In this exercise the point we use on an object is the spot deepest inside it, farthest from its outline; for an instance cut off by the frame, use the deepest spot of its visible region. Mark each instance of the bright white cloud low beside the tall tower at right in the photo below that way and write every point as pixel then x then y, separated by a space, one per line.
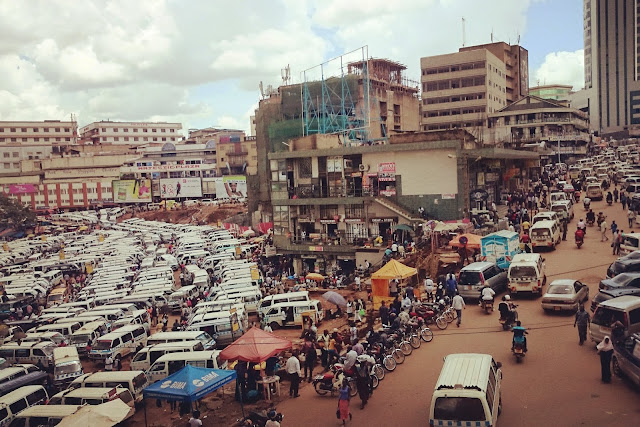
pixel 561 68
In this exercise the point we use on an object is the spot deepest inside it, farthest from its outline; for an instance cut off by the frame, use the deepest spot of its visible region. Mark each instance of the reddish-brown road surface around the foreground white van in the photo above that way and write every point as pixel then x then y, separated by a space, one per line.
pixel 558 383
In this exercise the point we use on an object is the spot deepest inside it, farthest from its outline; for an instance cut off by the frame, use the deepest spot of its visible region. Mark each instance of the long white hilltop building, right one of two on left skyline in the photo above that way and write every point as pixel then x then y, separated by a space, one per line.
pixel 130 133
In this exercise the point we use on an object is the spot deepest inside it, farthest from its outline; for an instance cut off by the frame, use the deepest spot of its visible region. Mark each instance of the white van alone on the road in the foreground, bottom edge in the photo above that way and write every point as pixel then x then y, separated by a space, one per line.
pixel 468 391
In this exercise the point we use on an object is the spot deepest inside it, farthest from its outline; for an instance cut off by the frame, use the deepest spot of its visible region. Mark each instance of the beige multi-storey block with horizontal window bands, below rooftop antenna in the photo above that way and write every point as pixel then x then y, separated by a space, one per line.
pixel 460 89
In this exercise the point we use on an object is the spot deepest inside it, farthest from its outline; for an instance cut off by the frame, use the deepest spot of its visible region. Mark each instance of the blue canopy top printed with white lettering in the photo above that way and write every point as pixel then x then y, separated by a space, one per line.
pixel 189 384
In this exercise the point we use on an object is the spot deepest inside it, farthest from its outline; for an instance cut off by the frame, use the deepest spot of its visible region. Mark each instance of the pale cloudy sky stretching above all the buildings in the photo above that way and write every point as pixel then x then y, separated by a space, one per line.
pixel 199 62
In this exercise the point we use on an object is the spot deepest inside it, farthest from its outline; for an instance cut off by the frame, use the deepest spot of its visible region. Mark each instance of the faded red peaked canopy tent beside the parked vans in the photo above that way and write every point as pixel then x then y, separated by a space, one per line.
pixel 255 346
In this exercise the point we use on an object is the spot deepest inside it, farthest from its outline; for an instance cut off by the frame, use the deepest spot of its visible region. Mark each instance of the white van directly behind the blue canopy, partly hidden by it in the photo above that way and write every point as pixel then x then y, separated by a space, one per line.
pixel 173 362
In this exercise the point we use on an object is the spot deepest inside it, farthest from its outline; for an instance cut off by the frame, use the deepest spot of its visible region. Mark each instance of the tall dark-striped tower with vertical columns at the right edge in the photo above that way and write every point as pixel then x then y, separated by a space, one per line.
pixel 612 64
